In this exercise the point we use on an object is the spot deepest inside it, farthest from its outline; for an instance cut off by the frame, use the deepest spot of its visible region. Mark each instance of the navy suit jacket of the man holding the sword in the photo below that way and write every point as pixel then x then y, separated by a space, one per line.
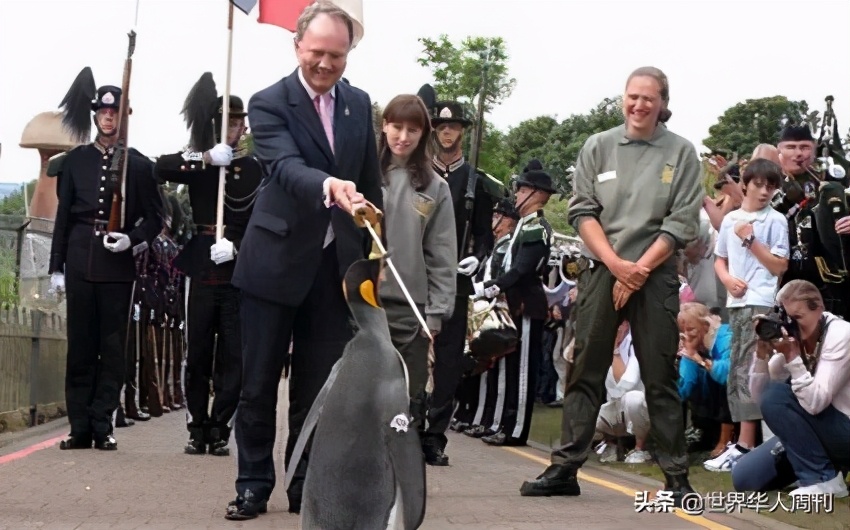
pixel 282 247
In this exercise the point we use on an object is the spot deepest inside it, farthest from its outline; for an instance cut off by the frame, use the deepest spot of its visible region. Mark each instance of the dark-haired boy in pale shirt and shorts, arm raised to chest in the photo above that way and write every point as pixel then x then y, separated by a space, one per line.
pixel 751 255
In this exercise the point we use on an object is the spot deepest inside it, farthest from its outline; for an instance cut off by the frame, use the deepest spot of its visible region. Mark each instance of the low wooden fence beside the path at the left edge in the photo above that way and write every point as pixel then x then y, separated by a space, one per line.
pixel 33 347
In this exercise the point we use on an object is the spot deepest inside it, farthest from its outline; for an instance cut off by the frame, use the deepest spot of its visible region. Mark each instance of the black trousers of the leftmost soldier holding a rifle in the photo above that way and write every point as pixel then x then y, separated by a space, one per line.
pixel 98 314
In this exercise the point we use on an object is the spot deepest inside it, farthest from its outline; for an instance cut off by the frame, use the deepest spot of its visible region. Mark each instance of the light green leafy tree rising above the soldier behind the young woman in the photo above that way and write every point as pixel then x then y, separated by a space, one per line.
pixel 457 72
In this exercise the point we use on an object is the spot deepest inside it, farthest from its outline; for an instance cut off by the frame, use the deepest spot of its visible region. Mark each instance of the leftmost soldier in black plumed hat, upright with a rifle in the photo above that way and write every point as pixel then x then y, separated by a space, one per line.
pixel 93 261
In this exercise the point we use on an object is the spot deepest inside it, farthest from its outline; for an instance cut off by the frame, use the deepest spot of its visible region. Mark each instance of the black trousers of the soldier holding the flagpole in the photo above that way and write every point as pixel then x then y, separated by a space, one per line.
pixel 215 347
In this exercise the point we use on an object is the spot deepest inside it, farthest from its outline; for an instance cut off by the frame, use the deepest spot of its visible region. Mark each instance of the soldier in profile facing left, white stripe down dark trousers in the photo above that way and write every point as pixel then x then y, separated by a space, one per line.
pixel 521 281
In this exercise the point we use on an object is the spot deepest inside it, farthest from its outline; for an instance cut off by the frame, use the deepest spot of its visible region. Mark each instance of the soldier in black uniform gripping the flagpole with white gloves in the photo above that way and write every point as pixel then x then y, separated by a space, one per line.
pixel 214 326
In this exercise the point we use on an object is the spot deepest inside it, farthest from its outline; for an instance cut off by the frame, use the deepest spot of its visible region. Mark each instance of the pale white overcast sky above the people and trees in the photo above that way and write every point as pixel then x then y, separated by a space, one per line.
pixel 567 55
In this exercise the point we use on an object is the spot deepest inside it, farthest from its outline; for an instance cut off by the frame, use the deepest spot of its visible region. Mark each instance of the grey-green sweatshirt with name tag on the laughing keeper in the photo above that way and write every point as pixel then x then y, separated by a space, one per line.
pixel 638 189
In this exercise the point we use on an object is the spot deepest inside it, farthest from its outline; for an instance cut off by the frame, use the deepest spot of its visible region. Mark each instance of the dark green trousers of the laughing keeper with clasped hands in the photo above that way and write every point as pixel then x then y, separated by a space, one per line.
pixel 652 312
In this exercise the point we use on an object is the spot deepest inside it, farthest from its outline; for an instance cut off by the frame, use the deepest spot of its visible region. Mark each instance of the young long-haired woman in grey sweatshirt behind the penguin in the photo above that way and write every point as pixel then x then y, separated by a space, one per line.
pixel 419 228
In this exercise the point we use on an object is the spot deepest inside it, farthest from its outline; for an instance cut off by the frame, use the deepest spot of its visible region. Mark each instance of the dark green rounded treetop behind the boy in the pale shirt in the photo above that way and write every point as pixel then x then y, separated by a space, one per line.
pixel 745 125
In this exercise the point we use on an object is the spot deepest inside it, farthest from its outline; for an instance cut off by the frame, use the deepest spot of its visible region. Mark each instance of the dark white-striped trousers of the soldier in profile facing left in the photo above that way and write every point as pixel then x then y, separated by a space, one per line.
pixel 521 371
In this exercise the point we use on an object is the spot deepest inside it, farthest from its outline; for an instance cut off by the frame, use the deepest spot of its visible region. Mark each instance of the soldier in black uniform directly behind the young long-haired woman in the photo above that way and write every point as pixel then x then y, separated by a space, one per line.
pixel 475 240
